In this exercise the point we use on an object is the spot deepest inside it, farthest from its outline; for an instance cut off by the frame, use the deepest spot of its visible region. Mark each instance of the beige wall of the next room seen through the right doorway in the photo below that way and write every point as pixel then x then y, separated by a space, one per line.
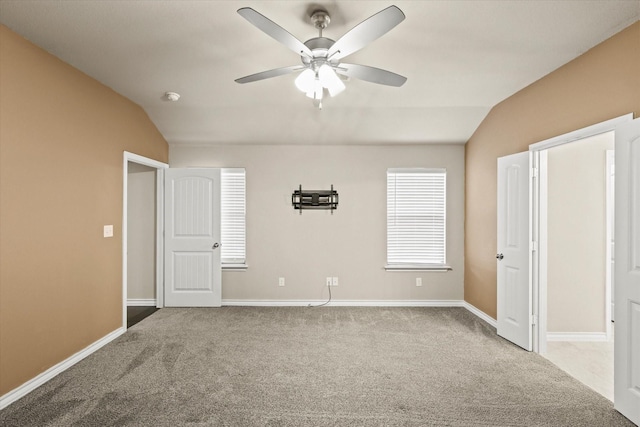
pixel 576 224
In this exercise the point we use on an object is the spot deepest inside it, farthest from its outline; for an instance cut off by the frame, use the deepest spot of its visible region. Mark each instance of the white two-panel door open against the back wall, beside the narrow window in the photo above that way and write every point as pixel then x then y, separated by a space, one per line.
pixel 192 238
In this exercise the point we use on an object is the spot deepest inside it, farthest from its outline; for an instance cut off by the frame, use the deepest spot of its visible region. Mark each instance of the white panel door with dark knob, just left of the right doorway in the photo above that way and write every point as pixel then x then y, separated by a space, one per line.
pixel 513 256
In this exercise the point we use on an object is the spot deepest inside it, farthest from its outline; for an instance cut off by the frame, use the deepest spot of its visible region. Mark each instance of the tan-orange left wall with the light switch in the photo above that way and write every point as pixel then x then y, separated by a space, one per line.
pixel 62 137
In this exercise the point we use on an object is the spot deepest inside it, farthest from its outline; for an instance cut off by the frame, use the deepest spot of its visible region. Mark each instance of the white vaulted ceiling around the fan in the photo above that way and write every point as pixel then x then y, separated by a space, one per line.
pixel 460 57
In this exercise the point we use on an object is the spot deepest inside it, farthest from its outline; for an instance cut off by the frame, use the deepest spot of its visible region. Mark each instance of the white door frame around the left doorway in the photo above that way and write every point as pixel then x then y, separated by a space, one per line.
pixel 159 166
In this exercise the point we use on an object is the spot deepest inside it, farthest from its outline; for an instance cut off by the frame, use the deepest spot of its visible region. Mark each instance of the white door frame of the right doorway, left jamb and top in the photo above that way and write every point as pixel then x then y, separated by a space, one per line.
pixel 539 217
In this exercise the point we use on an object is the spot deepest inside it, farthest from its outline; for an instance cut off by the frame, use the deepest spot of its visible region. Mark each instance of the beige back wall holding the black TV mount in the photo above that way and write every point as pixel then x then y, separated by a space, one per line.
pixel 351 243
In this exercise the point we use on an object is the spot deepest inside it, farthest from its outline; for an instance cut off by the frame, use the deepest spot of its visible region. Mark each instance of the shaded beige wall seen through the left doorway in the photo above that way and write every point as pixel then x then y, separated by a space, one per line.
pixel 141 232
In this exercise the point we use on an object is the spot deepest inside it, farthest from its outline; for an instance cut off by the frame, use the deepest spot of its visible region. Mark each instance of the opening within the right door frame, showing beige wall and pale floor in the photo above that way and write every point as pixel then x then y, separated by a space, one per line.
pixel 579 332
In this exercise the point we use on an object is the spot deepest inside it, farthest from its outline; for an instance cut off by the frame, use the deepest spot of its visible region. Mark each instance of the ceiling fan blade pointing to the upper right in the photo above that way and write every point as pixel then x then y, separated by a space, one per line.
pixel 366 32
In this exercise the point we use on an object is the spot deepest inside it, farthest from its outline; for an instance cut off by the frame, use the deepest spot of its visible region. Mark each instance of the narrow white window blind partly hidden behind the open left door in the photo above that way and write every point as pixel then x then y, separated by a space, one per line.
pixel 233 210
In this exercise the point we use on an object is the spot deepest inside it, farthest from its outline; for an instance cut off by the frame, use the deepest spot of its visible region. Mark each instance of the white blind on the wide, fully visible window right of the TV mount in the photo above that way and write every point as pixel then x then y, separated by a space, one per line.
pixel 416 217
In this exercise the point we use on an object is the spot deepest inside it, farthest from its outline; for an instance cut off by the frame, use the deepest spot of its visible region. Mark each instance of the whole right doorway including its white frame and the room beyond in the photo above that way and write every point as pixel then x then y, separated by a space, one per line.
pixel 573 224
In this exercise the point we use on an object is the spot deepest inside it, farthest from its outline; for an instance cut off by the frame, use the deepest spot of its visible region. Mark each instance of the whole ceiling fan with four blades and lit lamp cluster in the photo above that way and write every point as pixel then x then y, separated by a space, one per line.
pixel 321 56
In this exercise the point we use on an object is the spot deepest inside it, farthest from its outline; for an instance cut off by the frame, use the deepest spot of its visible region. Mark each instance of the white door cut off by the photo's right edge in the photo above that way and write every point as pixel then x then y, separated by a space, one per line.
pixel 627 277
